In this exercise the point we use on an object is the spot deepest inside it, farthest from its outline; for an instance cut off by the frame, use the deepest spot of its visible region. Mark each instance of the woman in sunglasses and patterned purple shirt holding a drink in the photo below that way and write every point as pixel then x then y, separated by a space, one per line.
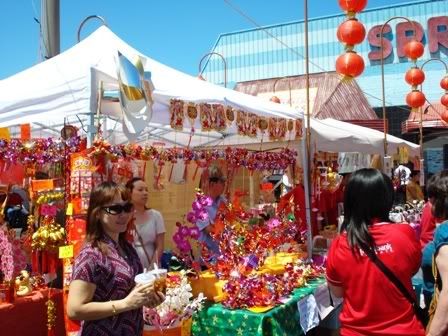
pixel 102 293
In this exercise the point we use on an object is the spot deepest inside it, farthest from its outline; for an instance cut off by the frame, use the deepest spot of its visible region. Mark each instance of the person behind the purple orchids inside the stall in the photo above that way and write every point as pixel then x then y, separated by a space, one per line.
pixel 216 186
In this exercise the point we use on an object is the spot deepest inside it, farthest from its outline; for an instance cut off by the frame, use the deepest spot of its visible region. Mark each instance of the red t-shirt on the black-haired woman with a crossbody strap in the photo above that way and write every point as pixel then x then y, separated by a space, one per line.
pixel 372 304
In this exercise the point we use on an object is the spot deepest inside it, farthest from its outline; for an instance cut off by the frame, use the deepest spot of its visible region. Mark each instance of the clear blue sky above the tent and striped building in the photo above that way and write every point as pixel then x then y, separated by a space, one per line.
pixel 175 32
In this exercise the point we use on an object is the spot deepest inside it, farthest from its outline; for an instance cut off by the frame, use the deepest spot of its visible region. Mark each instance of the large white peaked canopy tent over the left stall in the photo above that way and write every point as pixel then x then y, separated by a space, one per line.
pixel 66 87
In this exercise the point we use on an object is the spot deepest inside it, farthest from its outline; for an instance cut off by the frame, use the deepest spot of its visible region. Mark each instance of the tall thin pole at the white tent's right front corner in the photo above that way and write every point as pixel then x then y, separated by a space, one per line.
pixel 307 170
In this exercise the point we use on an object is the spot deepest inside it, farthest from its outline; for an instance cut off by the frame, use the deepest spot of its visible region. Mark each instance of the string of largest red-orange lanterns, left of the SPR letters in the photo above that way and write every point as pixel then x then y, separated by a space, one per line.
pixel 351 32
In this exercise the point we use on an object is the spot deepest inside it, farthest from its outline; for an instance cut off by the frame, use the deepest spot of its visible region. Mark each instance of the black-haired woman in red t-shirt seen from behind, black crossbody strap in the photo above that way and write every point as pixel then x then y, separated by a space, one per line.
pixel 373 305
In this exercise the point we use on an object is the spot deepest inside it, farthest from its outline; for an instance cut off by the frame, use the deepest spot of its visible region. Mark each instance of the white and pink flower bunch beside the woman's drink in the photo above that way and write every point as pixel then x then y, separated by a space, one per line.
pixel 178 306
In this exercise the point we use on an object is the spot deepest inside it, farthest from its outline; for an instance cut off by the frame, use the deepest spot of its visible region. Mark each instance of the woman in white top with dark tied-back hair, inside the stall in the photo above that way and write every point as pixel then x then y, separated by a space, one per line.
pixel 149 225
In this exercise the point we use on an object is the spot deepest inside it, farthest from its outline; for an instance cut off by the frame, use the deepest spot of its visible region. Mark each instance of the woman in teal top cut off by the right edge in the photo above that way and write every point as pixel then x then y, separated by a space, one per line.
pixel 438 310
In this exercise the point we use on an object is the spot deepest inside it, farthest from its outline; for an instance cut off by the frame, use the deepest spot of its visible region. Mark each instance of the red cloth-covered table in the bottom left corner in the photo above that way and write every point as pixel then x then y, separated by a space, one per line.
pixel 28 315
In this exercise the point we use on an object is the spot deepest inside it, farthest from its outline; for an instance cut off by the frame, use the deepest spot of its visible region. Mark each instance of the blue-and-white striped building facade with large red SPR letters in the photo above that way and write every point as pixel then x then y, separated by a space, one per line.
pixel 278 50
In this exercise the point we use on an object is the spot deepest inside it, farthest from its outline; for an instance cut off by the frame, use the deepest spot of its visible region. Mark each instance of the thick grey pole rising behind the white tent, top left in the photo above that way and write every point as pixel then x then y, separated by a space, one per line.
pixel 50 27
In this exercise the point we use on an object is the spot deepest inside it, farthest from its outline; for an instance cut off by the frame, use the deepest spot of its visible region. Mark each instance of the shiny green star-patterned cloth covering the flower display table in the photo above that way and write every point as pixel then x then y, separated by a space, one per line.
pixel 283 319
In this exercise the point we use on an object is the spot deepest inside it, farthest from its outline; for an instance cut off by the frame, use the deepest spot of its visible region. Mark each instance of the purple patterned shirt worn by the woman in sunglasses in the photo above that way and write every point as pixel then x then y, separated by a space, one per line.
pixel 113 276
